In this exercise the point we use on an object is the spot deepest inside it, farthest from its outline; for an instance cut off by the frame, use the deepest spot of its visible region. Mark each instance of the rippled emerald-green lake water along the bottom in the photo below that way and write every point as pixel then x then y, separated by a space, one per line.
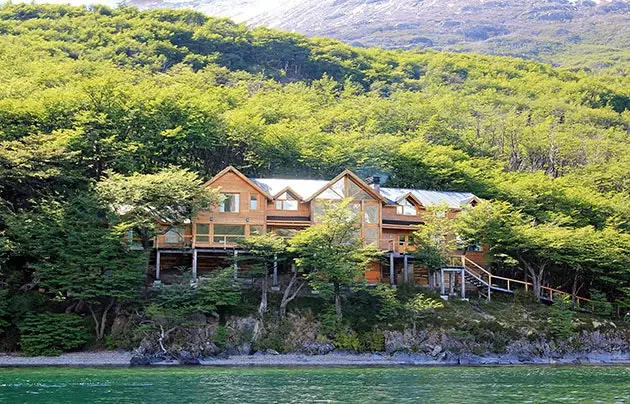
pixel 300 385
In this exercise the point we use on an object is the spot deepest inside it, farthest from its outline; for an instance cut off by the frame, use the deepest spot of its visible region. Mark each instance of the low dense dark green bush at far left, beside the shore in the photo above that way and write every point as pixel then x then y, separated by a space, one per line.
pixel 52 334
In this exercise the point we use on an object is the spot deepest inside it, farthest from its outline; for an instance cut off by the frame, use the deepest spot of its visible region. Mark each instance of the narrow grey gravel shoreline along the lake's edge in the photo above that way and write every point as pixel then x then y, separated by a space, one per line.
pixel 122 359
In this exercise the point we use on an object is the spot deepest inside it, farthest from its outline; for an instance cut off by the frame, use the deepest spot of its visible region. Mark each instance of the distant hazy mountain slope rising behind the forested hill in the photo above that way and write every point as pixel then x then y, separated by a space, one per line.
pixel 549 30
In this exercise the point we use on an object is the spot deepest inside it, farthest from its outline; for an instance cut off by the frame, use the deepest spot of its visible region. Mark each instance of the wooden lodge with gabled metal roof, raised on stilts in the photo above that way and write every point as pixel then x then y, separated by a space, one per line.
pixel 250 206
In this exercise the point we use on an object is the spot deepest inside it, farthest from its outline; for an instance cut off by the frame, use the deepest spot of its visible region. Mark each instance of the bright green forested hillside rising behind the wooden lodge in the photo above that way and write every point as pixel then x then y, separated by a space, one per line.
pixel 87 92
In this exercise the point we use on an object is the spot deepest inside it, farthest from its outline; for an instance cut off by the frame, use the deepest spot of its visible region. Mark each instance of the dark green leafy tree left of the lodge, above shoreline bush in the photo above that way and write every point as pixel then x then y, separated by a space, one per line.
pixel 78 258
